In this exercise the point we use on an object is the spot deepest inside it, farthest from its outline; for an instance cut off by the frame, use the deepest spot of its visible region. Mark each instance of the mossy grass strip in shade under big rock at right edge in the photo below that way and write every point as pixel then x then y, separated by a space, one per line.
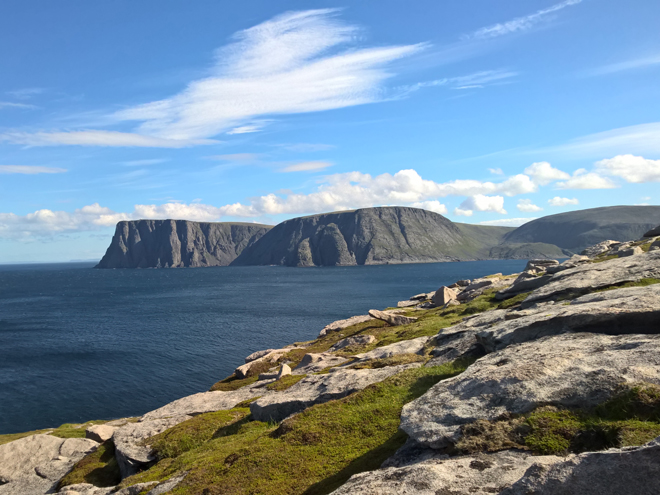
pixel 630 418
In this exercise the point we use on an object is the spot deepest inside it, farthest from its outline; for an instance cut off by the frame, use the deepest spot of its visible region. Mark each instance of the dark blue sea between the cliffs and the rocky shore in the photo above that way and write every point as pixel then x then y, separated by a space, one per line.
pixel 78 344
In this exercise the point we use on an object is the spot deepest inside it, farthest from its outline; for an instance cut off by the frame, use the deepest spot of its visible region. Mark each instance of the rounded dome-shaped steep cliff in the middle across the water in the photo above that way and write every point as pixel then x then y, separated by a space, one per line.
pixel 366 236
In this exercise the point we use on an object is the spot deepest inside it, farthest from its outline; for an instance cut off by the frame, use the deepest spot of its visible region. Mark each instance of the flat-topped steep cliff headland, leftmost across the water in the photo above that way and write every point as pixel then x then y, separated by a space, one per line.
pixel 178 243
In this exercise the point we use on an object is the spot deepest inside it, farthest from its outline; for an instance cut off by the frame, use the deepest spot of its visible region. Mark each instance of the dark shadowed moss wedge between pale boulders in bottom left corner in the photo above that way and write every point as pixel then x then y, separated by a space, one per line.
pixel 99 468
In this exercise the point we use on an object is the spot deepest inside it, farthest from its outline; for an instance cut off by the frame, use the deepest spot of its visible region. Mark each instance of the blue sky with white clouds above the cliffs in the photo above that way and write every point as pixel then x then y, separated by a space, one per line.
pixel 487 112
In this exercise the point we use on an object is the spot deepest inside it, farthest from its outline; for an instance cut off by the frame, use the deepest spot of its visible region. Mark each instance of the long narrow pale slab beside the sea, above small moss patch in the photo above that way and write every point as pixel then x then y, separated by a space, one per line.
pixel 207 402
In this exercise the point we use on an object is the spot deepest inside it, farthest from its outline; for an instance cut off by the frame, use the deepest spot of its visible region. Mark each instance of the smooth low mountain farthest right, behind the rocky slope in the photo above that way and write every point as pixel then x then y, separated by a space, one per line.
pixel 577 230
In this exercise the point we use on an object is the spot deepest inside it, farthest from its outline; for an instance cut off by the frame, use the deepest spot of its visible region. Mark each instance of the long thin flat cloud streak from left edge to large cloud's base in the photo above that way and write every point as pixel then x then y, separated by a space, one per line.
pixel 99 138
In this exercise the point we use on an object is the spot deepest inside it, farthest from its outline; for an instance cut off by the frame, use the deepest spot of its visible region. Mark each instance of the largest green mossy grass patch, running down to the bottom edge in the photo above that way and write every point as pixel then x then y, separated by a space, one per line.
pixel 313 452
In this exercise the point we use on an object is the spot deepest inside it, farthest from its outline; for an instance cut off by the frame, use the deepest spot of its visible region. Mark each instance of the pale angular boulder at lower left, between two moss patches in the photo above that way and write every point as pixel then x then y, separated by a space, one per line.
pixel 131 451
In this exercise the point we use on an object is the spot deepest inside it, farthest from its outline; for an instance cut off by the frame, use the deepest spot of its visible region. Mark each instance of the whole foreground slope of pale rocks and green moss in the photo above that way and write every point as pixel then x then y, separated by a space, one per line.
pixel 543 382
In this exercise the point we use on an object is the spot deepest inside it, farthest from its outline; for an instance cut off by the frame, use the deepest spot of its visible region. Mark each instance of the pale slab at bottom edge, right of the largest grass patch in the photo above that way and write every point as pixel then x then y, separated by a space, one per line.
pixel 480 475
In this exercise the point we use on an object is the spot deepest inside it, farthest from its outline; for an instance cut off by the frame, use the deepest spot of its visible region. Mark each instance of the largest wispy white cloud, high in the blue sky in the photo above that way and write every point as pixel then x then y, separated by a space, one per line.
pixel 289 64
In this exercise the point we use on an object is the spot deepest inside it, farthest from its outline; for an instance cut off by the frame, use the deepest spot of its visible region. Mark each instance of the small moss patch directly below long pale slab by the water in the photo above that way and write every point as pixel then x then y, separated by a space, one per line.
pixel 195 432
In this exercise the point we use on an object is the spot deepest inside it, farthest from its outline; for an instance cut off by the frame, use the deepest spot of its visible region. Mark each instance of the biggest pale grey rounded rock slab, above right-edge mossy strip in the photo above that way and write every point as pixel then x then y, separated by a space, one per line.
pixel 570 370
